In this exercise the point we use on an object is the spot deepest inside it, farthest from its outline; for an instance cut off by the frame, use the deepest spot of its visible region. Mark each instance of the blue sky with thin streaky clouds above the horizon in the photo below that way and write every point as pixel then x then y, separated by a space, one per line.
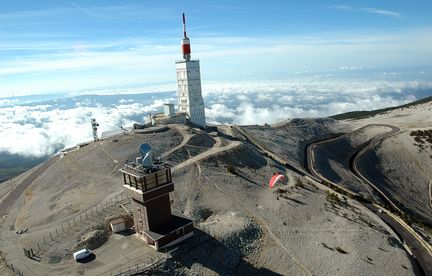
pixel 73 46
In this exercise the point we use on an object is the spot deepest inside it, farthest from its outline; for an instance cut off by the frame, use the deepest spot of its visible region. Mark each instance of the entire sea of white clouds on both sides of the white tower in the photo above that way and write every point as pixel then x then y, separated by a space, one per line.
pixel 44 127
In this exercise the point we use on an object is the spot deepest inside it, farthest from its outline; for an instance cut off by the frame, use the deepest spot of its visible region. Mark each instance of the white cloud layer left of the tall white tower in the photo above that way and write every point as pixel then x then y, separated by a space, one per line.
pixel 39 130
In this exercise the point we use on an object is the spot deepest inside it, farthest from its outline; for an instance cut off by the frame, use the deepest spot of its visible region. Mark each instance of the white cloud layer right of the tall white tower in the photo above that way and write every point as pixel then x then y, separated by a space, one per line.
pixel 269 102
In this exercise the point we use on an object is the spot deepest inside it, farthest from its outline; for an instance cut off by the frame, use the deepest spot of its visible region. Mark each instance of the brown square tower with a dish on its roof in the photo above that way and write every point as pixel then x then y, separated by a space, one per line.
pixel 149 184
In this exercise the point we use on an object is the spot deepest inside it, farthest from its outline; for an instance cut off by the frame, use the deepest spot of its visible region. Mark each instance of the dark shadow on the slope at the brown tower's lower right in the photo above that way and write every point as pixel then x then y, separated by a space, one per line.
pixel 210 253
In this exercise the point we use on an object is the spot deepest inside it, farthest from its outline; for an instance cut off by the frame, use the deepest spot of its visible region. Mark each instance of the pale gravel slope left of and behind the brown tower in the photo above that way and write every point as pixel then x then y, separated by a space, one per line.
pixel 85 177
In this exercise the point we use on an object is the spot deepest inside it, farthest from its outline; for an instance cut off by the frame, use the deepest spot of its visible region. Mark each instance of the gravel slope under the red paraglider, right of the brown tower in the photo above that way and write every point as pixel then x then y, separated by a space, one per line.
pixel 300 230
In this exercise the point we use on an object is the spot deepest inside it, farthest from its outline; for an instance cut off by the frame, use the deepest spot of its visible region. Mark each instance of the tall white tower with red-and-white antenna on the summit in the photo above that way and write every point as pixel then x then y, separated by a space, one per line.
pixel 190 98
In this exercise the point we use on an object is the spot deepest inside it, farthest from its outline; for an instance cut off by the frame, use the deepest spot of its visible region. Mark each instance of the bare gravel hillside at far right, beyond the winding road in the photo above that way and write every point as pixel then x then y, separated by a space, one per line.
pixel 400 164
